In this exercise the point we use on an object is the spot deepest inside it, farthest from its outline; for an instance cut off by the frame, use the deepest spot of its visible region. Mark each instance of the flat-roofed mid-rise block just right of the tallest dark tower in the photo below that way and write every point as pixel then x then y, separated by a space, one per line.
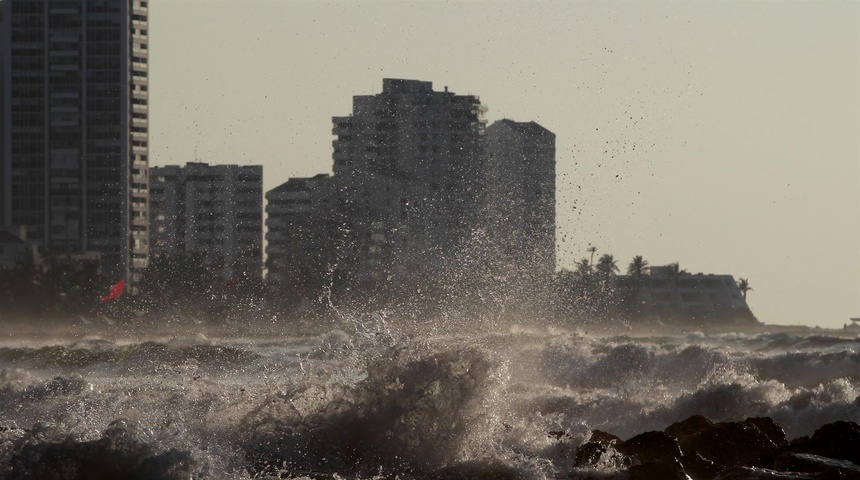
pixel 212 210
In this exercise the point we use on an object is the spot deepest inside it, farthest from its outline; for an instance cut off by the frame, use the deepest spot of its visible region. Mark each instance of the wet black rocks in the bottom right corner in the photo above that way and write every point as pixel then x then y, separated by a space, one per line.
pixel 755 448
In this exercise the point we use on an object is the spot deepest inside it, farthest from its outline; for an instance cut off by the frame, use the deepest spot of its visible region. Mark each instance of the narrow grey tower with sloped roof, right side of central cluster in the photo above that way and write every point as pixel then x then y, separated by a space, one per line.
pixel 519 197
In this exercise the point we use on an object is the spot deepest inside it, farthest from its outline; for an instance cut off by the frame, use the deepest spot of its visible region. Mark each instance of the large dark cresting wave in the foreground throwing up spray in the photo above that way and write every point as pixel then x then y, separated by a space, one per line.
pixel 412 413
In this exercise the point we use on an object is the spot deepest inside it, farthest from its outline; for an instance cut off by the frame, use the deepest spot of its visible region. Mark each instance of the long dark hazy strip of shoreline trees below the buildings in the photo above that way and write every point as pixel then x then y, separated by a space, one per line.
pixel 182 286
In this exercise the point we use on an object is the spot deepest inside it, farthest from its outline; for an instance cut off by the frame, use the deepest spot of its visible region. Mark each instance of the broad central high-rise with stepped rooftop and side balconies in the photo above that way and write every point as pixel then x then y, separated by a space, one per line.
pixel 407 166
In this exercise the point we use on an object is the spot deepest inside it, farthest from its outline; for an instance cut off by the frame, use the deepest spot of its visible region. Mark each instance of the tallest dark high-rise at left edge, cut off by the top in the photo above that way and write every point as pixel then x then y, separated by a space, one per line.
pixel 74 149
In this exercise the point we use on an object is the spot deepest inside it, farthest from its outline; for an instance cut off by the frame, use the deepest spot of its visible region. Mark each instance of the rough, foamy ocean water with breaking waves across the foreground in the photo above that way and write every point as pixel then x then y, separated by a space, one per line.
pixel 367 399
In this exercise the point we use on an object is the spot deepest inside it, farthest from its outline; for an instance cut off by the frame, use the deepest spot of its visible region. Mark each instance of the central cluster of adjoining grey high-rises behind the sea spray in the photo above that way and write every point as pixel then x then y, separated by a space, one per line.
pixel 420 189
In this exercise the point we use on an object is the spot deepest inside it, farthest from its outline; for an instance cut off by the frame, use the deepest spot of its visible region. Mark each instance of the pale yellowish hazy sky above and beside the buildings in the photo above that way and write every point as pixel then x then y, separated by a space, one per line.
pixel 722 135
